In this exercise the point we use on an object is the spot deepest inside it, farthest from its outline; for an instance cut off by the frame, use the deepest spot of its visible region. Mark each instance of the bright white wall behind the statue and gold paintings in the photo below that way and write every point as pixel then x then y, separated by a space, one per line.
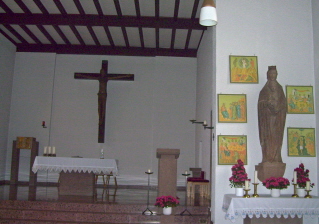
pixel 270 30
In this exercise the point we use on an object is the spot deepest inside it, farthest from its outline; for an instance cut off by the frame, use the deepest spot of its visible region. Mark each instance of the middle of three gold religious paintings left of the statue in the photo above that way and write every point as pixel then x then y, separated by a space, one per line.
pixel 232 108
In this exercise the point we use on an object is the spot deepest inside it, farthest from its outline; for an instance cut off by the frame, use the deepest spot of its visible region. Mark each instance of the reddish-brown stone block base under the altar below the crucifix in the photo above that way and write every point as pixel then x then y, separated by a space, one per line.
pixel 75 183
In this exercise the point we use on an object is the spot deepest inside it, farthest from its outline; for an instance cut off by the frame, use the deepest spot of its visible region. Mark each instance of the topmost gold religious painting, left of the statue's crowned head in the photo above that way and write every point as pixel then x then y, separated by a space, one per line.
pixel 243 69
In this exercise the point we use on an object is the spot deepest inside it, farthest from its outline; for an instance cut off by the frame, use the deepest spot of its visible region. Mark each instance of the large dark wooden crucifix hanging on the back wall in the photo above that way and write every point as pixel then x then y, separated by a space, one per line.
pixel 103 77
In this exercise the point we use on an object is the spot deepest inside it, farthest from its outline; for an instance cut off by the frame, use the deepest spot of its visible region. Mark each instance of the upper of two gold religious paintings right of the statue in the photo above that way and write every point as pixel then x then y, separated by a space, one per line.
pixel 300 100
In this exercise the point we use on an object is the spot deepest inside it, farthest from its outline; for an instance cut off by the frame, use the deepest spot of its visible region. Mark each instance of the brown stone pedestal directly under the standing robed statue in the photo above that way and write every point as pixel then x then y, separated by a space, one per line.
pixel 267 169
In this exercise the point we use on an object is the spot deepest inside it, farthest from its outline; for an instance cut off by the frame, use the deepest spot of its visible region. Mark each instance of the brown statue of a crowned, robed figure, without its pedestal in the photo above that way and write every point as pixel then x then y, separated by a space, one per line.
pixel 272 111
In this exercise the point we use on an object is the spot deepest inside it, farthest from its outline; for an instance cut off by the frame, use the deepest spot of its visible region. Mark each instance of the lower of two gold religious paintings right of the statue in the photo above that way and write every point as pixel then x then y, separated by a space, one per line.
pixel 301 142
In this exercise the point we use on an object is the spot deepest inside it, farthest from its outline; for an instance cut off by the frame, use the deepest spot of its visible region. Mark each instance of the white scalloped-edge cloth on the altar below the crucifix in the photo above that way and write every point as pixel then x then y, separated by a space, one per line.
pixel 58 164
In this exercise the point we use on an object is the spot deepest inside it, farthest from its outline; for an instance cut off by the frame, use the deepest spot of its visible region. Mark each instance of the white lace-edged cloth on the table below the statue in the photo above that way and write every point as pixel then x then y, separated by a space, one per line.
pixel 266 206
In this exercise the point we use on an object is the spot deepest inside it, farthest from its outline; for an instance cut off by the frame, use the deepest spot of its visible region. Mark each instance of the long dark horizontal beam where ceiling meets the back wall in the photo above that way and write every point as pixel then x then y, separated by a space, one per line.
pixel 105 50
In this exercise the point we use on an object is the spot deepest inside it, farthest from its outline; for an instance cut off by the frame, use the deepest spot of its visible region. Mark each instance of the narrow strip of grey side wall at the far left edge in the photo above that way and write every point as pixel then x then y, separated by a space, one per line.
pixel 7 54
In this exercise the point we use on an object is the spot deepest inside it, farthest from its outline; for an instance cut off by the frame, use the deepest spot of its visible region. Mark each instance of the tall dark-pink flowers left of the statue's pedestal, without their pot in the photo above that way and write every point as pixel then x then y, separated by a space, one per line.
pixel 239 175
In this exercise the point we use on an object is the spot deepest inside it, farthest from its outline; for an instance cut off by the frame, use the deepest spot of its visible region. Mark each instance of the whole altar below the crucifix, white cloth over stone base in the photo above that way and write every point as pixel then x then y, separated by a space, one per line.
pixel 77 175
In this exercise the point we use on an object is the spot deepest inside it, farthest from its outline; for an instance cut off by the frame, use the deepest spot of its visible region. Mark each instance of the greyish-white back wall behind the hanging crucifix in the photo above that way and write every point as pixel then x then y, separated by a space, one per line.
pixel 149 113
